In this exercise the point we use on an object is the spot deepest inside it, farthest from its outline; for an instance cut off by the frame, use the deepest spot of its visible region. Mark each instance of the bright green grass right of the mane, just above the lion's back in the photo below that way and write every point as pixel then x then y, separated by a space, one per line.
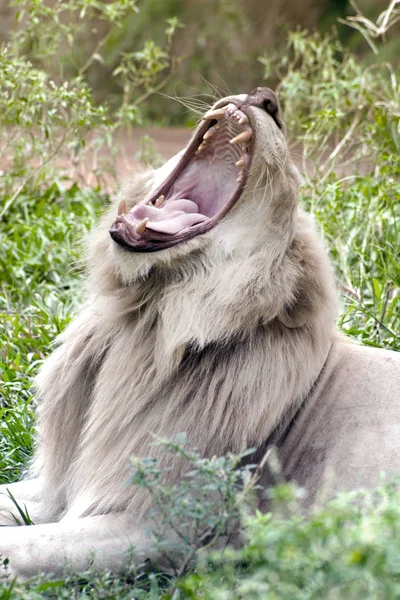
pixel 361 222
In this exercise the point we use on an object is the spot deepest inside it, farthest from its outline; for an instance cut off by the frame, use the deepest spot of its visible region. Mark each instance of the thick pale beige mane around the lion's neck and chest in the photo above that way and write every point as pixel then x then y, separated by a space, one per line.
pixel 214 344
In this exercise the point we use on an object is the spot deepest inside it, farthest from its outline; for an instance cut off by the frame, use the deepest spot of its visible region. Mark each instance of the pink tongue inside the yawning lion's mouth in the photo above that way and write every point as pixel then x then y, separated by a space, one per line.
pixel 174 216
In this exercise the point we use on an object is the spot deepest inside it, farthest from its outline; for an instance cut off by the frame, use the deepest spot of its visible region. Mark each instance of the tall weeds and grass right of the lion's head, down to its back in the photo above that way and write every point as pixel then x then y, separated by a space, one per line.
pixel 344 120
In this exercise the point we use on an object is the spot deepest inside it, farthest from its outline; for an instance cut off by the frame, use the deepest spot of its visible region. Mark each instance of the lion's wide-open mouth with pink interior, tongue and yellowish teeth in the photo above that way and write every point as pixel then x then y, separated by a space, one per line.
pixel 199 192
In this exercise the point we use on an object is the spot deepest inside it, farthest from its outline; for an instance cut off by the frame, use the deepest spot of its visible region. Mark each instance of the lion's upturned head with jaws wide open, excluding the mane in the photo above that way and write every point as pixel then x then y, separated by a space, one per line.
pixel 233 188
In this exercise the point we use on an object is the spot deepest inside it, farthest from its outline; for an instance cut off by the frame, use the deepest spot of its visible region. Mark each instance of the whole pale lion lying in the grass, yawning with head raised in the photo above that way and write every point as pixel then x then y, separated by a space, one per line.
pixel 210 309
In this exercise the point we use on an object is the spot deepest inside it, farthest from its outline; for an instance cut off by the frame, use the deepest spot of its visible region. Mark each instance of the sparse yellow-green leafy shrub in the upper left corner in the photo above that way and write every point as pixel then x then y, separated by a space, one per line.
pixel 46 117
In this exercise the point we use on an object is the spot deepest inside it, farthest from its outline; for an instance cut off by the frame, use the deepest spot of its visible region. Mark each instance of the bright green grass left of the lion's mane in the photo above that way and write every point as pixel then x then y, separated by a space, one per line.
pixel 39 292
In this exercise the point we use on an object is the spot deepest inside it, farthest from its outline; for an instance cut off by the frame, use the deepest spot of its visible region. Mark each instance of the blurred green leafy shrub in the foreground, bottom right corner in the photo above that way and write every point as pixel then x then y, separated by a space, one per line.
pixel 348 549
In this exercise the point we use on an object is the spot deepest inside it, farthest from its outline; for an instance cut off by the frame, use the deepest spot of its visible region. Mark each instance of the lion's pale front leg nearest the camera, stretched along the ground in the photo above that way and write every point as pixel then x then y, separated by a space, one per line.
pixel 99 542
